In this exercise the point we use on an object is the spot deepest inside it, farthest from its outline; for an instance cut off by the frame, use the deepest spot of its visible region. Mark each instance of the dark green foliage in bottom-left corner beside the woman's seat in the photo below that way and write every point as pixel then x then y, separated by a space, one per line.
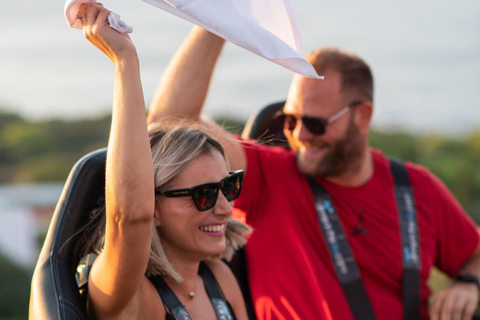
pixel 14 291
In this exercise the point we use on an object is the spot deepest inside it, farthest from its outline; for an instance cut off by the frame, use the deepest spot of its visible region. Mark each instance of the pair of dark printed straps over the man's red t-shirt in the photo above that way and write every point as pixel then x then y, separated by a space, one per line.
pixel 344 261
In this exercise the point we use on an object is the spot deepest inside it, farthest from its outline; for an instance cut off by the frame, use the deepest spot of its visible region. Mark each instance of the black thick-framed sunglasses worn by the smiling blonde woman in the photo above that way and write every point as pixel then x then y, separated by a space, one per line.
pixel 205 195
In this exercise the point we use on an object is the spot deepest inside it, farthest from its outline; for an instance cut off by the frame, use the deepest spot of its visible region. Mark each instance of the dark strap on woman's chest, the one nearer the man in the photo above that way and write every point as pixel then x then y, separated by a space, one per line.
pixel 221 306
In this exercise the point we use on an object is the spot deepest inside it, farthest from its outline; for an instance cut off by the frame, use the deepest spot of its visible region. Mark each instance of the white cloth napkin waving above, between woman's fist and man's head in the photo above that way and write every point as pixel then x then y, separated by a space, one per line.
pixel 265 27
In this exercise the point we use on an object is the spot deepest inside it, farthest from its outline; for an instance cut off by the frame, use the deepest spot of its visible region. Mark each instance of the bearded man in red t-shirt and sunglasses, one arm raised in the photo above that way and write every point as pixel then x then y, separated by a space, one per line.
pixel 332 239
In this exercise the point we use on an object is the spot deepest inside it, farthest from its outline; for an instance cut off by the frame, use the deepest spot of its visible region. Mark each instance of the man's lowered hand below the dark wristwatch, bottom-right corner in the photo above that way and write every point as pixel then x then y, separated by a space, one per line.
pixel 457 302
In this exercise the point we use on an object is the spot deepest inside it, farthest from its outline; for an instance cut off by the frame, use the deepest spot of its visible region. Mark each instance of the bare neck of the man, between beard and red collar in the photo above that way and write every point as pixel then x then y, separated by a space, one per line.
pixel 358 175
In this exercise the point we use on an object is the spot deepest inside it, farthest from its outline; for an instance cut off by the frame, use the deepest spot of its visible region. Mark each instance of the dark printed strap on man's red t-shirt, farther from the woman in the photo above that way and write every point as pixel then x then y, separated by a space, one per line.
pixel 409 237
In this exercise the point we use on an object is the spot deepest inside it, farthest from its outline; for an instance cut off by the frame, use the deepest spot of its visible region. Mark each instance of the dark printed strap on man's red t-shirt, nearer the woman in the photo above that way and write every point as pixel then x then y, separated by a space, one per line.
pixel 340 253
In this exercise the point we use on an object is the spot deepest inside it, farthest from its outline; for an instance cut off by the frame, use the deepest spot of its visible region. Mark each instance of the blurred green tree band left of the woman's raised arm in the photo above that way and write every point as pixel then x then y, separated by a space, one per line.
pixel 46 150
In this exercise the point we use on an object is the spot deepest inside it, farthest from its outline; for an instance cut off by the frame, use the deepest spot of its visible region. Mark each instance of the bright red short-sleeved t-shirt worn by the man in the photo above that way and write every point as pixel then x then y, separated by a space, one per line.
pixel 290 271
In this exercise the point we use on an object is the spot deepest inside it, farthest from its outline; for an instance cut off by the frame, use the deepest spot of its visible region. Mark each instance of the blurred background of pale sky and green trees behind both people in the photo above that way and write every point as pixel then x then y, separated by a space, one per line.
pixel 56 89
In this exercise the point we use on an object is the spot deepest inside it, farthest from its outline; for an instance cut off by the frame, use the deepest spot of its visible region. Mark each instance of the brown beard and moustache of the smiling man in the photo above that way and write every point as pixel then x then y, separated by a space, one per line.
pixel 342 157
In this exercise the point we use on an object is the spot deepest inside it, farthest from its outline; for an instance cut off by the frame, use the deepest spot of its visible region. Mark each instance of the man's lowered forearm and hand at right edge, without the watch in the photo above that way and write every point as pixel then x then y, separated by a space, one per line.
pixel 460 299
